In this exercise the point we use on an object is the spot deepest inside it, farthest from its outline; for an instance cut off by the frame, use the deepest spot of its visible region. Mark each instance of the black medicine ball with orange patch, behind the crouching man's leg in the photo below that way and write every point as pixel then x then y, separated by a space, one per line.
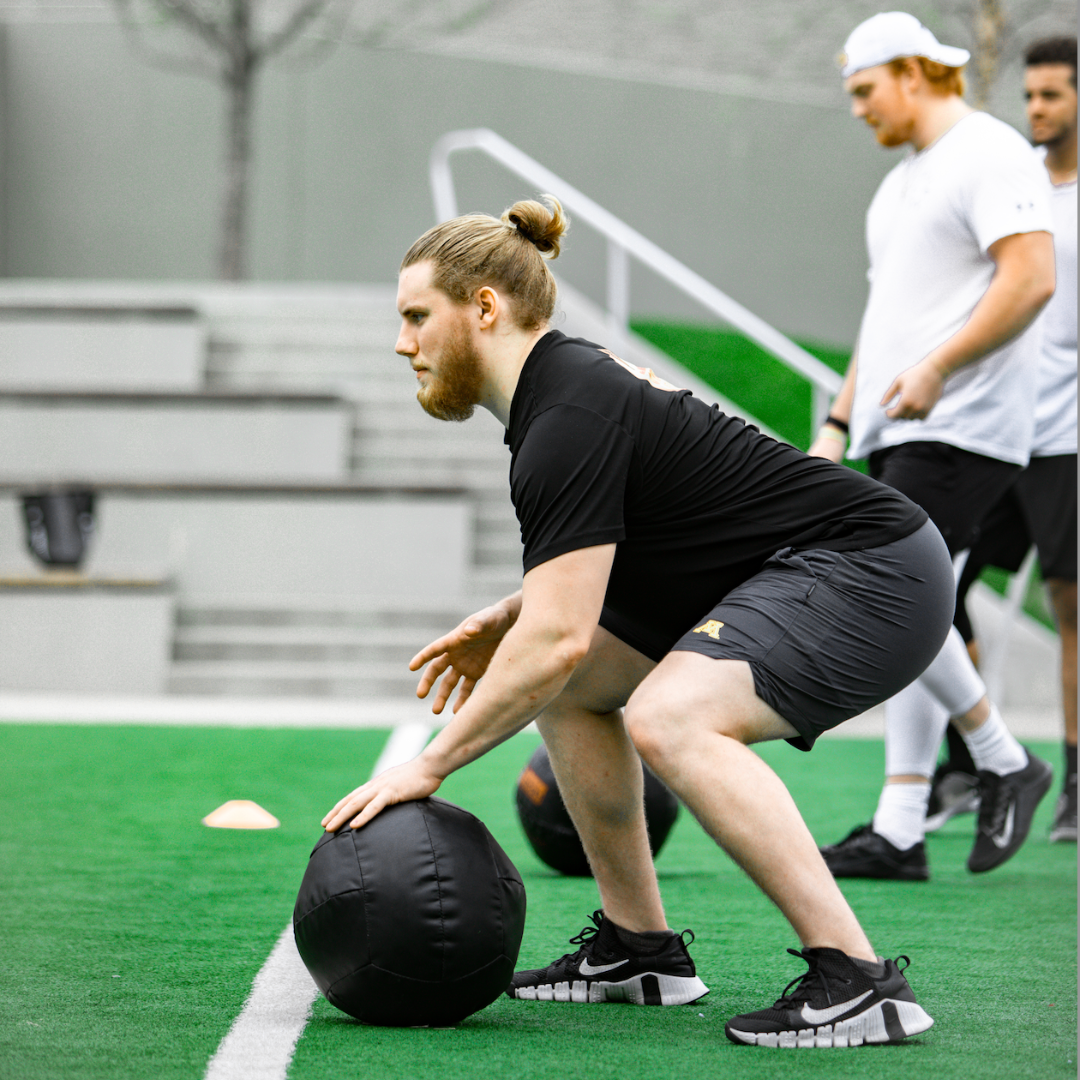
pixel 551 833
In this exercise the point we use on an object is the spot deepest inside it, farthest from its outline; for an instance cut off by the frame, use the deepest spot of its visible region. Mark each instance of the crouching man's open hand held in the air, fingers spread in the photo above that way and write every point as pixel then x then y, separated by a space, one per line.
pixel 463 656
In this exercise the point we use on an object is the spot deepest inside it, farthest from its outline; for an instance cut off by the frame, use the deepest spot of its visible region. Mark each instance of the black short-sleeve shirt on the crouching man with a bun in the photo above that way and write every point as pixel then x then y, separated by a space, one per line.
pixel 695 501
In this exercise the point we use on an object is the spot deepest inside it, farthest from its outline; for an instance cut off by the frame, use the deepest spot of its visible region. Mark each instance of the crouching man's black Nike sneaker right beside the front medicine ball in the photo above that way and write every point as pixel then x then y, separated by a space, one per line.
pixel 605 970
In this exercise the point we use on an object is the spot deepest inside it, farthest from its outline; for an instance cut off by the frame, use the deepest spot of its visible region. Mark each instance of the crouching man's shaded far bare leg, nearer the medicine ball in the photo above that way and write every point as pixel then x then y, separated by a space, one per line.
pixel 600 778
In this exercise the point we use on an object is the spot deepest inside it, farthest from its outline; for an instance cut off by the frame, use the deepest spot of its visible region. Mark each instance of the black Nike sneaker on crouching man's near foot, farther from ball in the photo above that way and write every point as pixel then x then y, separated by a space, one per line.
pixel 835 1004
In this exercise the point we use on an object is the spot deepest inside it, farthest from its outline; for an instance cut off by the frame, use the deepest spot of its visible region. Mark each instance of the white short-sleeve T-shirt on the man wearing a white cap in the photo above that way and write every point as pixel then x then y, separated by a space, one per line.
pixel 928 232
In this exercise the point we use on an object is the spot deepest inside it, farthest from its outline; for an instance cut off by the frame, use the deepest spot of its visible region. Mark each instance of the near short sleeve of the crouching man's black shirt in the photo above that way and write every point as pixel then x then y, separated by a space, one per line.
pixel 569 483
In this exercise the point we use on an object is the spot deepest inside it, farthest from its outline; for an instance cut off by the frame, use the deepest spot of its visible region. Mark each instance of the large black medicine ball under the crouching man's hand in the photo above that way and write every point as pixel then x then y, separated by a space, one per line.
pixel 415 920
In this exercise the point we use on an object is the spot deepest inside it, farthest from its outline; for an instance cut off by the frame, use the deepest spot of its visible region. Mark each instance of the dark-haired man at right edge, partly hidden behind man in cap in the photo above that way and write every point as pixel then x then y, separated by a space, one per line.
pixel 1042 506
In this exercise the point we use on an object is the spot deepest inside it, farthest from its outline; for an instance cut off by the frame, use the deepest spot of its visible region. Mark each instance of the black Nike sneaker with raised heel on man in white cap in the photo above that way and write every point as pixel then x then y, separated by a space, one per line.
pixel 1007 806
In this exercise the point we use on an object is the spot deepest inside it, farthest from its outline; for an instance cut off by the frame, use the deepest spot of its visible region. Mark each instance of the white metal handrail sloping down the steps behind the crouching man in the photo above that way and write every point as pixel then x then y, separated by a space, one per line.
pixel 624 242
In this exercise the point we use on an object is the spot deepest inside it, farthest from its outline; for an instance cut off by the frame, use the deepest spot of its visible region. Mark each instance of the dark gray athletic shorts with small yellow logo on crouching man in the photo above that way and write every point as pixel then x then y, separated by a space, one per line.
pixel 830 634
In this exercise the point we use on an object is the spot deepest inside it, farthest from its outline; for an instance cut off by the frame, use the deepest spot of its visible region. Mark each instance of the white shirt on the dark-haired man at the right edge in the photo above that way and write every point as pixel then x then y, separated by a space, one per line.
pixel 1056 411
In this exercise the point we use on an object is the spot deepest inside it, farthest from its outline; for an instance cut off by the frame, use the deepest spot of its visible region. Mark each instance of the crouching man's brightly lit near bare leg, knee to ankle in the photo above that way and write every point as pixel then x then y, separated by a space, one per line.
pixel 693 721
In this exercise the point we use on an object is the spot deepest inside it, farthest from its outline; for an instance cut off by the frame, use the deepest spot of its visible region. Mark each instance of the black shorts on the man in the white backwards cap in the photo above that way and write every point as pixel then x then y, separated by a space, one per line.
pixel 955 488
